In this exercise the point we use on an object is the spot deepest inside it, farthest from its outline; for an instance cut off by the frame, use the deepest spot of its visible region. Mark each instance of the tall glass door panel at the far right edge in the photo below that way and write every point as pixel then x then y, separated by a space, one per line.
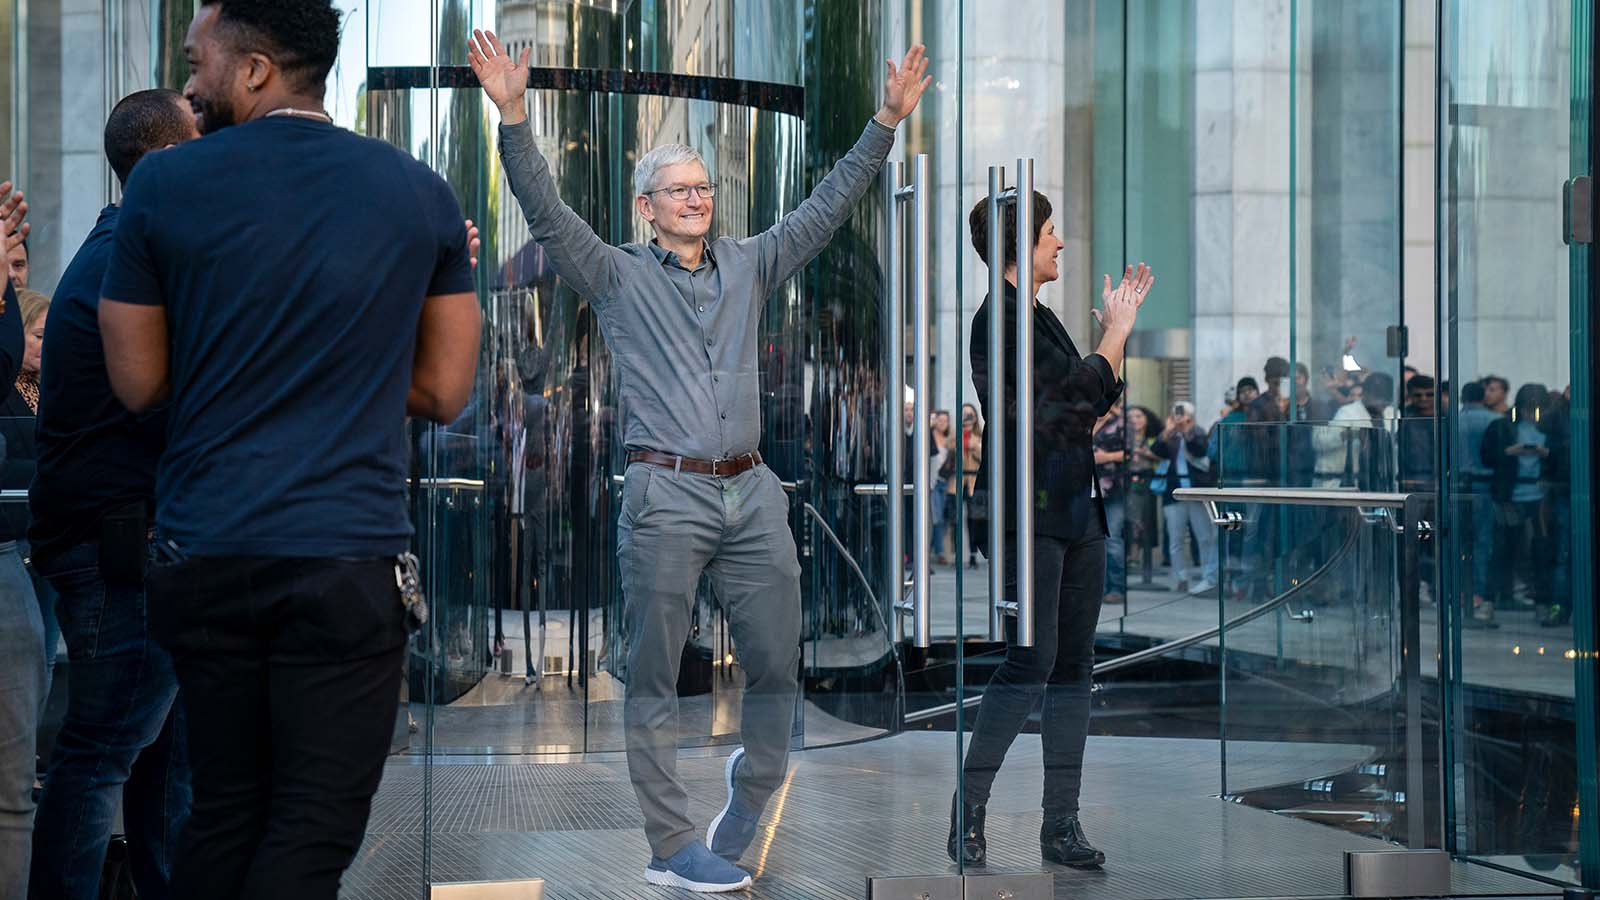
pixel 1516 123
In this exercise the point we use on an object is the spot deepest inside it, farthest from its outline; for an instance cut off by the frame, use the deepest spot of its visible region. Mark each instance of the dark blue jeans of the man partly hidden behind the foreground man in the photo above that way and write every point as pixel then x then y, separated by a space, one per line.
pixel 124 737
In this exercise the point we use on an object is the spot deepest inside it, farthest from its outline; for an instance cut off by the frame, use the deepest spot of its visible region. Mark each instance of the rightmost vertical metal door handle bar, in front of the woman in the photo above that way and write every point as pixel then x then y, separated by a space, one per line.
pixel 1025 403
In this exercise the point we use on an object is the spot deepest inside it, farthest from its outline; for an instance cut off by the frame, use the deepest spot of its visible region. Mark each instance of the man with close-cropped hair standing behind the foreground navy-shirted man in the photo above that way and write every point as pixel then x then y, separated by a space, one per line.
pixel 92 500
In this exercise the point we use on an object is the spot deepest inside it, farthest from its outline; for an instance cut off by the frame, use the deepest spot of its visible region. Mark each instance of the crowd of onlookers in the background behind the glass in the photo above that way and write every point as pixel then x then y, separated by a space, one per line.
pixel 1513 475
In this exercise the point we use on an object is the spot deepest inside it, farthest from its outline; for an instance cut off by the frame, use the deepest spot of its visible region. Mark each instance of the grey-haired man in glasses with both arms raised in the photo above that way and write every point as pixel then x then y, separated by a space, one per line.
pixel 682 318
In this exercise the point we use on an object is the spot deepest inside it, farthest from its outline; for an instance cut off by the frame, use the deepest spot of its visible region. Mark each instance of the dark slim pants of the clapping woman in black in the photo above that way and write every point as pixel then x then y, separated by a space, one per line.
pixel 1070 584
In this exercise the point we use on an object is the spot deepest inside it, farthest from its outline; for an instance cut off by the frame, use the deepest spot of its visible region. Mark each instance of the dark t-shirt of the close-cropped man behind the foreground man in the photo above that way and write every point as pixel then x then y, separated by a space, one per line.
pixel 94 456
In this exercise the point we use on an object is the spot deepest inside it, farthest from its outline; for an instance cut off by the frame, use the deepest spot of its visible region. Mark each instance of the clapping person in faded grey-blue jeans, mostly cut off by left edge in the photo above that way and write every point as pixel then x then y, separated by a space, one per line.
pixel 22 629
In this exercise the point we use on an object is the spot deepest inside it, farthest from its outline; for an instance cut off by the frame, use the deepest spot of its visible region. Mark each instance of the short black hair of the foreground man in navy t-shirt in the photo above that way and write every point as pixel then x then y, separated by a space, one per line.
pixel 302 38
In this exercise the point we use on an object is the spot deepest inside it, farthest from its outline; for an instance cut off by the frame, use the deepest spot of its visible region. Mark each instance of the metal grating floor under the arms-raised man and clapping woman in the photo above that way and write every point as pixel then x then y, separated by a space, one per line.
pixel 882 810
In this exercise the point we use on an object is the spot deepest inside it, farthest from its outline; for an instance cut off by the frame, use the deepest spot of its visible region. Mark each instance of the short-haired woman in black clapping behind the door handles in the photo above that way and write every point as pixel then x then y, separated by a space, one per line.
pixel 1071 393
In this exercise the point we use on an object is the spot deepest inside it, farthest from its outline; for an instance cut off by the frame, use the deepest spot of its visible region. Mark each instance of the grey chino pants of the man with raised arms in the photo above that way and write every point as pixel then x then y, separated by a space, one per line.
pixel 673 528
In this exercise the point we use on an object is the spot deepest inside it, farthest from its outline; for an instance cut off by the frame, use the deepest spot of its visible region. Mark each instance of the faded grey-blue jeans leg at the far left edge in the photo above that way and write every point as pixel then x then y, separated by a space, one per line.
pixel 22 696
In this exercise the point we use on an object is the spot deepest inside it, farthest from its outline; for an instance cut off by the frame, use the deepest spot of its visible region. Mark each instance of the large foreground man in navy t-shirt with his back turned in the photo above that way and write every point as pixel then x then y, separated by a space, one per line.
pixel 292 292
